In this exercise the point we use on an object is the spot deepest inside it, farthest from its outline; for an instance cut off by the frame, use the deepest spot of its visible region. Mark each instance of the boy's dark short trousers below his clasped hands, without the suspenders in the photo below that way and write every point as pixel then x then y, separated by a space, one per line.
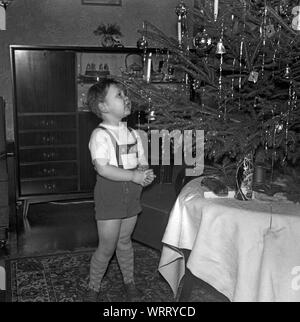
pixel 116 199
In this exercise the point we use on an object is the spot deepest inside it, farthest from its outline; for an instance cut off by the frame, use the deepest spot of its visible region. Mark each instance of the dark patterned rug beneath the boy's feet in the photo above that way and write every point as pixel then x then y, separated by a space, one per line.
pixel 63 277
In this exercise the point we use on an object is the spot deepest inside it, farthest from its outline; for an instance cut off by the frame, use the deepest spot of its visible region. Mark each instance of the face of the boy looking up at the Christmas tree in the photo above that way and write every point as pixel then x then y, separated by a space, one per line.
pixel 116 102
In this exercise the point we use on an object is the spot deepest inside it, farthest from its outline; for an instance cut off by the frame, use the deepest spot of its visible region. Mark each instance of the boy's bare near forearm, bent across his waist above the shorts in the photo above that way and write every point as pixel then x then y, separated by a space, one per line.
pixel 117 174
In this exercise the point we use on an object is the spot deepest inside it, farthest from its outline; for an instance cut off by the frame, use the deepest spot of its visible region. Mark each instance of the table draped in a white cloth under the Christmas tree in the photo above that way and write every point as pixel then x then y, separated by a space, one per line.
pixel 247 250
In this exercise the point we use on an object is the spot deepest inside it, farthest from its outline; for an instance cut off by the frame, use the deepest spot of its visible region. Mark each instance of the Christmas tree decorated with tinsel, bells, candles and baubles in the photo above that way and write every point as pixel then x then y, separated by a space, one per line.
pixel 242 67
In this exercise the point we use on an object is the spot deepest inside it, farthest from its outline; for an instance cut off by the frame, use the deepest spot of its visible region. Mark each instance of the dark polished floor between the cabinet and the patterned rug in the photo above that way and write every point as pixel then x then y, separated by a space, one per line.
pixel 52 228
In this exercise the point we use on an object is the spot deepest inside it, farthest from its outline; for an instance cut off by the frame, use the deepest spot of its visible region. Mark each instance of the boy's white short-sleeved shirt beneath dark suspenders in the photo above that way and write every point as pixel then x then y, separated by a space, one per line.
pixel 101 146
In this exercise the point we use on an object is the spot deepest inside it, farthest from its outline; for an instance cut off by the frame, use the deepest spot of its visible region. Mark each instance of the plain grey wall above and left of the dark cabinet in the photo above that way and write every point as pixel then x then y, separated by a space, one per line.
pixel 69 22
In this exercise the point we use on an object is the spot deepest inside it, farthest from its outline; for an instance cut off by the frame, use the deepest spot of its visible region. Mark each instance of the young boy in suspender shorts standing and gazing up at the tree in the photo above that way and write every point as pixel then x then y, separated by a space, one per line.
pixel 117 155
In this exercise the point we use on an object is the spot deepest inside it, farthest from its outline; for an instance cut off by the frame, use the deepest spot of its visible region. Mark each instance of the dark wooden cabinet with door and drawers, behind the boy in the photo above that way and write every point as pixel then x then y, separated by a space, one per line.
pixel 51 136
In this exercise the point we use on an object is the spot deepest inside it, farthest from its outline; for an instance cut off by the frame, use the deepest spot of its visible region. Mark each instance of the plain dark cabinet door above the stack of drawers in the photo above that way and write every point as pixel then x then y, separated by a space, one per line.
pixel 44 81
